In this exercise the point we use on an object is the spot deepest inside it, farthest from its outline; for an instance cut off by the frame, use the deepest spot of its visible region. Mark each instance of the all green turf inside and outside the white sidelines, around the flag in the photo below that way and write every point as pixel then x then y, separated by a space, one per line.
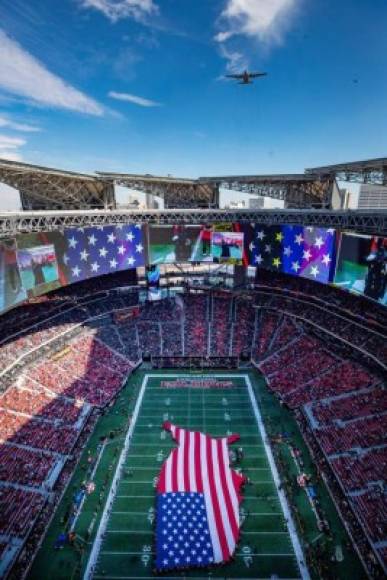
pixel 127 549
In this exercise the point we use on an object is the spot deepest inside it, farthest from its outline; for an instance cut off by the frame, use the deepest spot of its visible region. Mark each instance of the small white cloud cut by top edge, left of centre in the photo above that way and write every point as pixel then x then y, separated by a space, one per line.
pixel 118 9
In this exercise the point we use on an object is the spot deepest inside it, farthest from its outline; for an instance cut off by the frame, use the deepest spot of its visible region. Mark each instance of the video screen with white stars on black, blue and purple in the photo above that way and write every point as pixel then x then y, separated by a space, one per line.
pixel 301 251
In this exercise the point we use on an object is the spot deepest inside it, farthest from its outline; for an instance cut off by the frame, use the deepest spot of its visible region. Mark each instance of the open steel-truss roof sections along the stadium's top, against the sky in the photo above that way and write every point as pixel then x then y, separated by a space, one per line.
pixel 43 188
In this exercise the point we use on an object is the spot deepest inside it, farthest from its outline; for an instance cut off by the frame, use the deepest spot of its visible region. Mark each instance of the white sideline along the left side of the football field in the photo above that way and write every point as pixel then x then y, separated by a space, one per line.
pixel 113 488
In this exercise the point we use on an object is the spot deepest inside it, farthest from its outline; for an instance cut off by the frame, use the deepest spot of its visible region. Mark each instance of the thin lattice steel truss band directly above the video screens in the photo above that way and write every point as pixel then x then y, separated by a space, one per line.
pixel 372 222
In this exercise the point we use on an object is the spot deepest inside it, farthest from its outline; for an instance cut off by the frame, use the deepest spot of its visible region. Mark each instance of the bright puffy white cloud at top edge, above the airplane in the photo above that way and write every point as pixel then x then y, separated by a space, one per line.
pixel 262 19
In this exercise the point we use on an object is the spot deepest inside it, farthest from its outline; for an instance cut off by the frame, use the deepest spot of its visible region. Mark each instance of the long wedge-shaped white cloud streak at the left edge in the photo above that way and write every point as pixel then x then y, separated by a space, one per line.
pixel 23 75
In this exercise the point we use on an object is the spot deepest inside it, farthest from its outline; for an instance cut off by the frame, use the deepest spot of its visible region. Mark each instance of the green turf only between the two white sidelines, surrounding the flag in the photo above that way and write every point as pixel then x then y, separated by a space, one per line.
pixel 130 528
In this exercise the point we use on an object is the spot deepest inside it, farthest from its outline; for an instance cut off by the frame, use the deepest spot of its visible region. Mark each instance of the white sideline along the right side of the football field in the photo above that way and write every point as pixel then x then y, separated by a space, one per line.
pixel 282 497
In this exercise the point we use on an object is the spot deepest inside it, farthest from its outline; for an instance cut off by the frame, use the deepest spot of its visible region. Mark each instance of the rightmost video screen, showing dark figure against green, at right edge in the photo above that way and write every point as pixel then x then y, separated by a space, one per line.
pixel 362 266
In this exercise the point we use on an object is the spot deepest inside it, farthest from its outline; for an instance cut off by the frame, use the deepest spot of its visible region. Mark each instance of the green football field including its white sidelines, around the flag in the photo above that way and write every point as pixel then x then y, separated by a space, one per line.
pixel 124 545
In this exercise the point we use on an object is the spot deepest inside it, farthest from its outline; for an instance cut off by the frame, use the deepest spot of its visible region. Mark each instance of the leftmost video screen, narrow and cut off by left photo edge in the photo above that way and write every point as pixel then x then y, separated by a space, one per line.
pixel 11 288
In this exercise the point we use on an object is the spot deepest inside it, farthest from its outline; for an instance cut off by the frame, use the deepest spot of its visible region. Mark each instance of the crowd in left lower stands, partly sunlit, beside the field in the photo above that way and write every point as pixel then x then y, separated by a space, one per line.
pixel 43 413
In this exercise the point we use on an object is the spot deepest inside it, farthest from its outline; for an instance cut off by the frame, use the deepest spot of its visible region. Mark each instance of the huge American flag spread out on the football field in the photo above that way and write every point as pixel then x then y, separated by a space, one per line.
pixel 198 497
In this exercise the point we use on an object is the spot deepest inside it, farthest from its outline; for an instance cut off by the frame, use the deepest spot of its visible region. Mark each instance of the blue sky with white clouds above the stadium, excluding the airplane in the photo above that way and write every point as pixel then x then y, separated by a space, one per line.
pixel 169 111
